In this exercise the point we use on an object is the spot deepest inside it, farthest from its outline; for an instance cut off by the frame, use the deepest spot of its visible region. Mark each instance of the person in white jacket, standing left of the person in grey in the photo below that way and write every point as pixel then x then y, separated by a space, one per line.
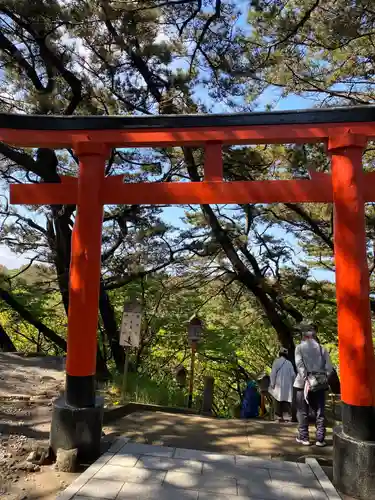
pixel 281 385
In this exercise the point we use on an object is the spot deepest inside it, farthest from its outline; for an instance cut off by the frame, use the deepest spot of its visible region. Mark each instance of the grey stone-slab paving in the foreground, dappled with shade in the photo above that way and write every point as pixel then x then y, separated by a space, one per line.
pixel 143 472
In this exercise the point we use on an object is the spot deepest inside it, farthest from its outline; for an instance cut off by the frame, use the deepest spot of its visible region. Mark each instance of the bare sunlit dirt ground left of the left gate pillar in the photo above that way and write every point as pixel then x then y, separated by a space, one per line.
pixel 27 389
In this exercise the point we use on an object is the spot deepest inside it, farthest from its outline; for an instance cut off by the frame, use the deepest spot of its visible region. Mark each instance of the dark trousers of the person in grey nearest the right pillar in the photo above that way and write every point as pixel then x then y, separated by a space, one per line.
pixel 317 404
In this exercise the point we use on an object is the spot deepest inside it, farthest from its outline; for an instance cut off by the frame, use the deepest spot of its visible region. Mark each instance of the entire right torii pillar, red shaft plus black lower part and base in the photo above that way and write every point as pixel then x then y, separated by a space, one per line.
pixel 354 442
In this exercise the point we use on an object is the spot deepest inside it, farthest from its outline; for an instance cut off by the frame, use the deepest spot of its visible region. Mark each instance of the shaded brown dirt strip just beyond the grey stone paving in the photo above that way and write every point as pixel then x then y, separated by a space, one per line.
pixel 235 437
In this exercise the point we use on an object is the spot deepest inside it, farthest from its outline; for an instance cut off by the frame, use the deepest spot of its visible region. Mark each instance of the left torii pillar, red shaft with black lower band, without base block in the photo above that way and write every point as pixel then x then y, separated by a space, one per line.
pixel 85 276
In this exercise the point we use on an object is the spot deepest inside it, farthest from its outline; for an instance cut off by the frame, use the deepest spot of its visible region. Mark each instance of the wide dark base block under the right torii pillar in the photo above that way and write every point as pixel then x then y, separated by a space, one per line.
pixel 353 465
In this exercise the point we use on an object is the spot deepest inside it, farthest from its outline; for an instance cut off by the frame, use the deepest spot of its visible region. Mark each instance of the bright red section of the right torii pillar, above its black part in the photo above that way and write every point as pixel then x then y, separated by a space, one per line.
pixel 357 363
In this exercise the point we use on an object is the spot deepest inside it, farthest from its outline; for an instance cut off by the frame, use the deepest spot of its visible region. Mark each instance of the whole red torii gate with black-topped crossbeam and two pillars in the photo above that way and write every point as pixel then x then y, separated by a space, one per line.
pixel 344 130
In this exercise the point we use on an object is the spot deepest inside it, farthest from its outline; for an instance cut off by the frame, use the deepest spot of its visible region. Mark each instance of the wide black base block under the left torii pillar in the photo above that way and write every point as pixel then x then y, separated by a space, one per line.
pixel 79 428
